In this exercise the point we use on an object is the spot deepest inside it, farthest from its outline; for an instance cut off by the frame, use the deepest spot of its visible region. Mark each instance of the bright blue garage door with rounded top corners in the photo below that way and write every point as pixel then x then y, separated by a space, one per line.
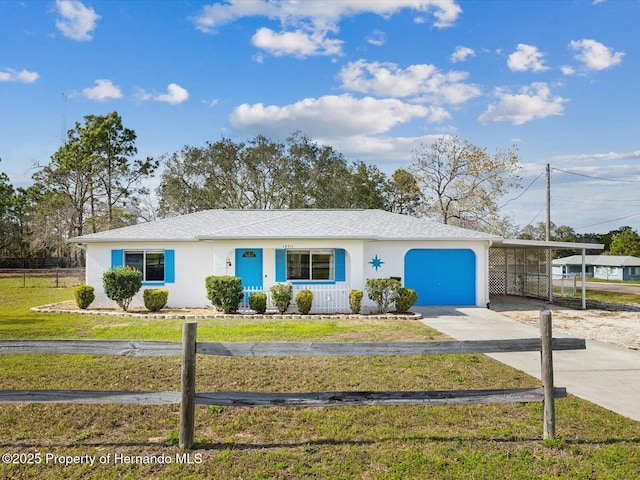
pixel 441 276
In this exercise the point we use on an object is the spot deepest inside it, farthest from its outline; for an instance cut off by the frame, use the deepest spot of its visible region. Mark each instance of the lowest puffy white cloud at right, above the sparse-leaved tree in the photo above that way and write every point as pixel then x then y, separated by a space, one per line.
pixel 531 102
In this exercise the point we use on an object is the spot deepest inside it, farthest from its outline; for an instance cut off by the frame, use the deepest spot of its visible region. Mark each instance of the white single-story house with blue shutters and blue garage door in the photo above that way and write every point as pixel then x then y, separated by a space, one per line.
pixel 327 251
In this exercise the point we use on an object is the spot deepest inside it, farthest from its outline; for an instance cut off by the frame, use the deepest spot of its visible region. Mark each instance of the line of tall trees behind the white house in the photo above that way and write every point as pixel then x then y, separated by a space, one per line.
pixel 93 182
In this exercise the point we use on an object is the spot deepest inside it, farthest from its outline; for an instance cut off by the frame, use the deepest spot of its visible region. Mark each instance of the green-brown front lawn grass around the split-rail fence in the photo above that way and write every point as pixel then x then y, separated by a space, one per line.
pixel 400 442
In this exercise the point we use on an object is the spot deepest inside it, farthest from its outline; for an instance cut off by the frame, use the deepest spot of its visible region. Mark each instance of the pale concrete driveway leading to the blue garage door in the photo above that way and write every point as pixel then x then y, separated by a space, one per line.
pixel 604 374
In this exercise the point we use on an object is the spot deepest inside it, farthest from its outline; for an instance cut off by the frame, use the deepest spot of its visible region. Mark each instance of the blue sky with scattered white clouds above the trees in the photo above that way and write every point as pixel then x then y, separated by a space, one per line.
pixel 373 79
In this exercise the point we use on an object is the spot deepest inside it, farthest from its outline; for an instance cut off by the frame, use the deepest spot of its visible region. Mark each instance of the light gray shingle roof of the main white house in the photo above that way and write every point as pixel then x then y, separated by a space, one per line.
pixel 306 223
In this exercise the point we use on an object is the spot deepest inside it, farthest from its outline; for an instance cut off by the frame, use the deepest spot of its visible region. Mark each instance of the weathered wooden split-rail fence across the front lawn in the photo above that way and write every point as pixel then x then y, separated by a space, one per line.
pixel 188 398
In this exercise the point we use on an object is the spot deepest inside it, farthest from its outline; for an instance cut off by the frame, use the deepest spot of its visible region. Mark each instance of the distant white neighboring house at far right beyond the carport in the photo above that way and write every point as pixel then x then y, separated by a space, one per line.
pixel 607 267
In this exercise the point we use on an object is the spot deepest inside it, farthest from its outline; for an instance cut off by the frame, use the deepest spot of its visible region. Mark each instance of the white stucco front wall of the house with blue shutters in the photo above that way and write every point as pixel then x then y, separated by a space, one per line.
pixel 194 261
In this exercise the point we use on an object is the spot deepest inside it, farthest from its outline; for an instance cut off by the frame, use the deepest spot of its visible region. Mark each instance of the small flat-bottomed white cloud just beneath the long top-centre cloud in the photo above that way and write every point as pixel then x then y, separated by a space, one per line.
pixel 297 43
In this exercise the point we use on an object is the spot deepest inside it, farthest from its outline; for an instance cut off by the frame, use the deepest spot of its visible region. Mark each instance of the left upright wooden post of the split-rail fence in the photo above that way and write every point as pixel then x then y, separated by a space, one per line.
pixel 188 370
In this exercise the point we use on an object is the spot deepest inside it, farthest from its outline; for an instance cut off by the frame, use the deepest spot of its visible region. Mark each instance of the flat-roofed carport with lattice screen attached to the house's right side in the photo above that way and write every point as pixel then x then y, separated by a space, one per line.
pixel 523 267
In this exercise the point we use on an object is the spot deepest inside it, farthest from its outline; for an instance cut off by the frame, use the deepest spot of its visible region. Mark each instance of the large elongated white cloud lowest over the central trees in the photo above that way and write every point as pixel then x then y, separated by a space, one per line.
pixel 330 116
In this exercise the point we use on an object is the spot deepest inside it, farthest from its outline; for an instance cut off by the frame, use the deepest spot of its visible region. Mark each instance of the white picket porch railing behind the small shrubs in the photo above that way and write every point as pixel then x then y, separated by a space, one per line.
pixel 326 298
